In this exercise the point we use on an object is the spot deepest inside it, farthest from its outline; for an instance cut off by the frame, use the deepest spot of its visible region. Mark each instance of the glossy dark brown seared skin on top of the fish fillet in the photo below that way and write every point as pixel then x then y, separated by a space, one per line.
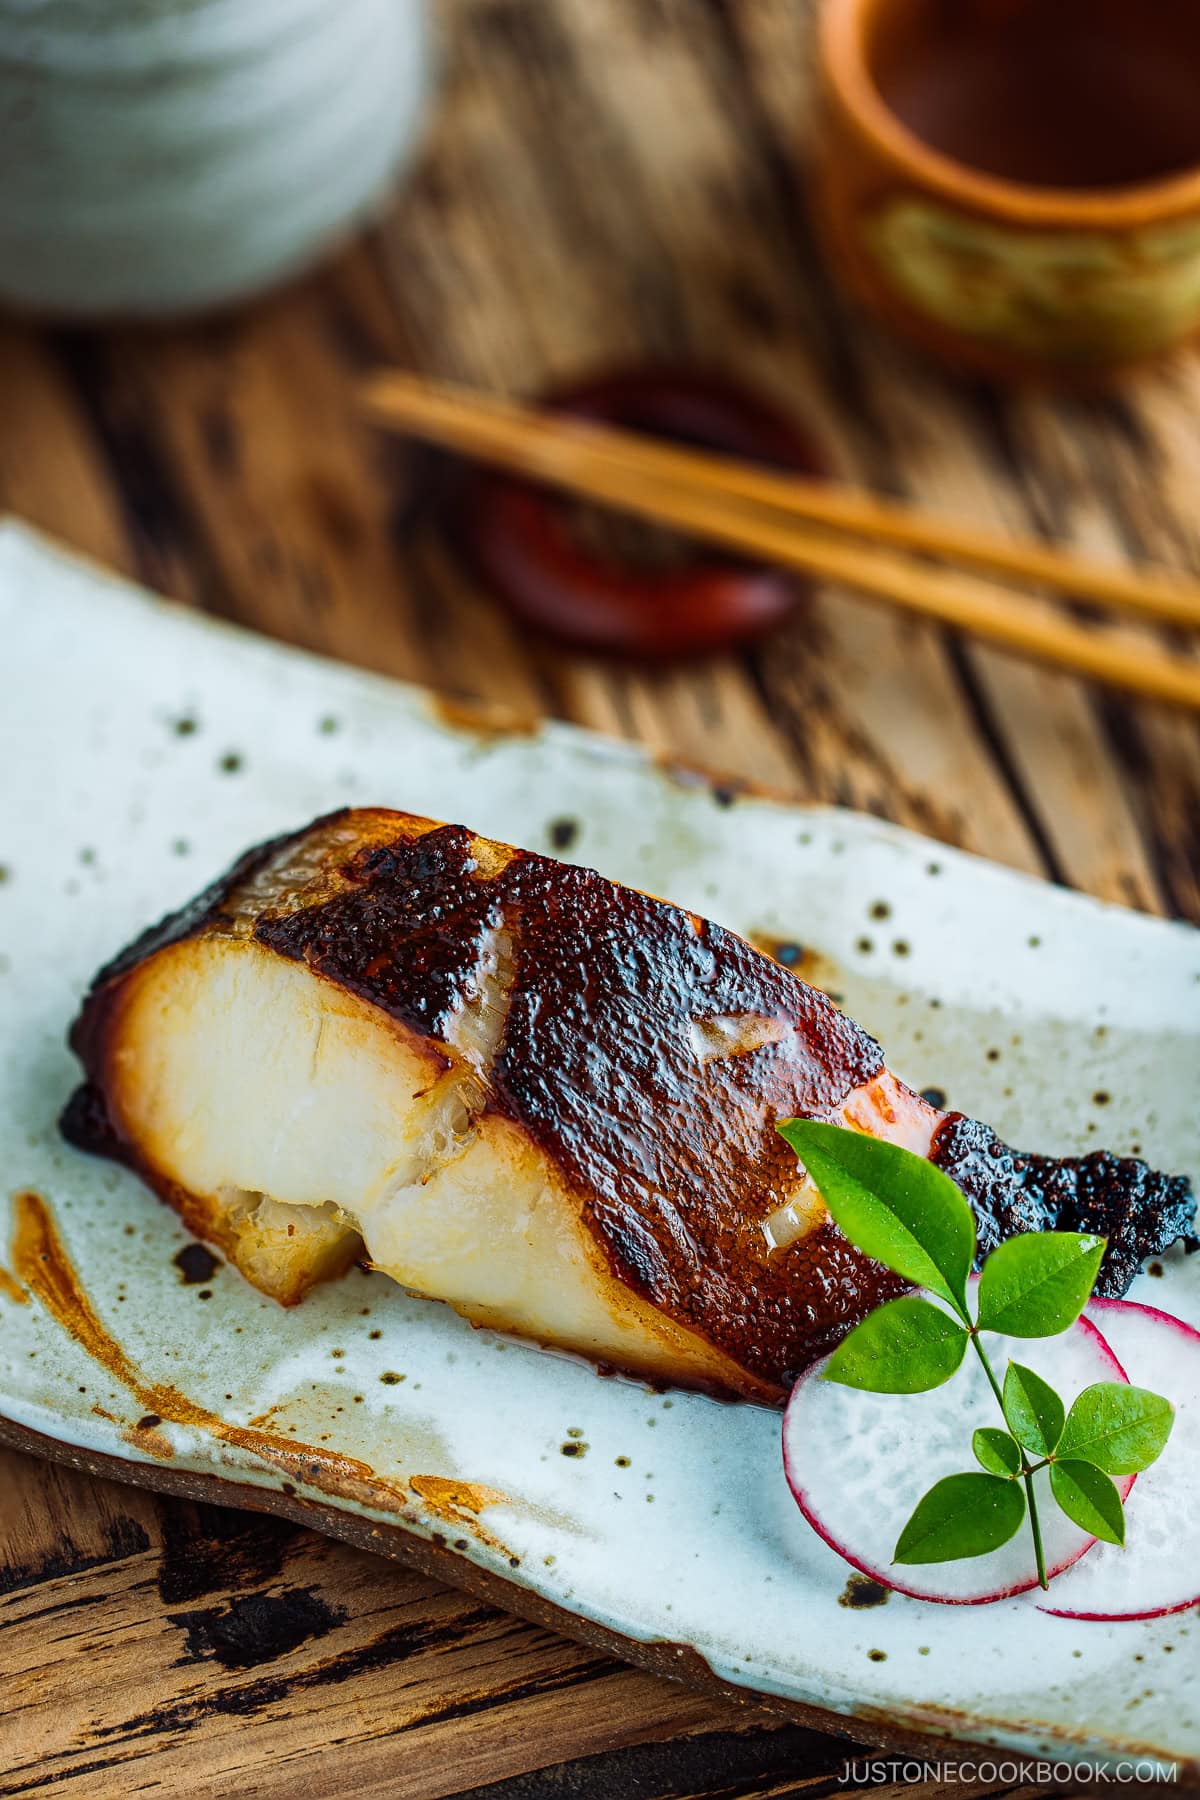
pixel 668 1147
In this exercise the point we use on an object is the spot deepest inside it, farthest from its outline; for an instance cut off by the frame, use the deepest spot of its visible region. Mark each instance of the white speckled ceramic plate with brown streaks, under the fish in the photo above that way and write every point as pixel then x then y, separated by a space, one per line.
pixel 143 750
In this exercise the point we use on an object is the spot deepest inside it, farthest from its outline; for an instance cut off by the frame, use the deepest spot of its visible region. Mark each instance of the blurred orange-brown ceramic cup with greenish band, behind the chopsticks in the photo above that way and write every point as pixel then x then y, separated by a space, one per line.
pixel 1016 184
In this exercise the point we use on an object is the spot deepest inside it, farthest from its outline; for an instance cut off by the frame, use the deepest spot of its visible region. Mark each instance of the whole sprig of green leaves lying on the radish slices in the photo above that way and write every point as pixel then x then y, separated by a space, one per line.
pixel 904 1212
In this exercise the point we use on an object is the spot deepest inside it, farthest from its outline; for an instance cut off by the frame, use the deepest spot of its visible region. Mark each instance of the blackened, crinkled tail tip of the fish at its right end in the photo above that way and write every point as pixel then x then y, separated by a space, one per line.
pixel 1138 1209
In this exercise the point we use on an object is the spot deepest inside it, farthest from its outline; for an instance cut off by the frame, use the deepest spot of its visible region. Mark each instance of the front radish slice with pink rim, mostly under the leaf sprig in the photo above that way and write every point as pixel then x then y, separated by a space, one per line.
pixel 859 1462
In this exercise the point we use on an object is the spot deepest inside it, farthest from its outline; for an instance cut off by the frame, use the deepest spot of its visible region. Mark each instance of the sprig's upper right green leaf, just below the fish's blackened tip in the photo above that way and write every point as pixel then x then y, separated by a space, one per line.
pixel 1039 1284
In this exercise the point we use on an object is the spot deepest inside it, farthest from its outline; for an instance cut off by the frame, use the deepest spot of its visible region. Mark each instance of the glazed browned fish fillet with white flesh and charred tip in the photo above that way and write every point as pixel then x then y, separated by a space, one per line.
pixel 535 1095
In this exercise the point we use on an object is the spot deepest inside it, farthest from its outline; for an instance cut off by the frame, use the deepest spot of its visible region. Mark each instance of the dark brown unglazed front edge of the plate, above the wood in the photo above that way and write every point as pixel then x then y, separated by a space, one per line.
pixel 676 1662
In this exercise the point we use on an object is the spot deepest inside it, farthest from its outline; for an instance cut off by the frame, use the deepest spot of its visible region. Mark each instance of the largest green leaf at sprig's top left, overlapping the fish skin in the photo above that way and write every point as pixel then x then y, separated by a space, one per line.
pixel 893 1205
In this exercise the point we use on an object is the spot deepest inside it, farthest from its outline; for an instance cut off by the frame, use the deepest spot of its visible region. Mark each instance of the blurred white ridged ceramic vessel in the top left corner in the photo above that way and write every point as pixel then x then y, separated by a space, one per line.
pixel 165 156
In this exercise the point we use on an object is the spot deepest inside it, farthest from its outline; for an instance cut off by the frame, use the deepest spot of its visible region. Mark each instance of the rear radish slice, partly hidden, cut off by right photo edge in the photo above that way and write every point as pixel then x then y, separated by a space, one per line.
pixel 1160 1569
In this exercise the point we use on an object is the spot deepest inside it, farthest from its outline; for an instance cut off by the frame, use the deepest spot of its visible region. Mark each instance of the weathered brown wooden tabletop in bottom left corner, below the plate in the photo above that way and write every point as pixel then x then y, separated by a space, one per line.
pixel 208 1650
